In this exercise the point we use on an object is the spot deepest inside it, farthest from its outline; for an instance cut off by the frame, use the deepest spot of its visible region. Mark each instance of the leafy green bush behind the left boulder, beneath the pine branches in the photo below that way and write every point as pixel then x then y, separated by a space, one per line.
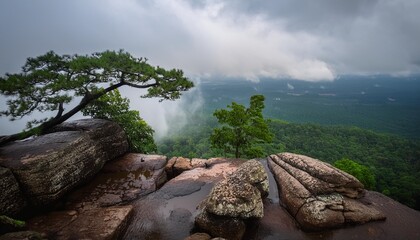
pixel 116 108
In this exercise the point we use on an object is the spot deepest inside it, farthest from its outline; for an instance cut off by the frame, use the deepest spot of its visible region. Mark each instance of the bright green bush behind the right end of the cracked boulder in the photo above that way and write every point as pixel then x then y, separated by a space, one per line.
pixel 363 173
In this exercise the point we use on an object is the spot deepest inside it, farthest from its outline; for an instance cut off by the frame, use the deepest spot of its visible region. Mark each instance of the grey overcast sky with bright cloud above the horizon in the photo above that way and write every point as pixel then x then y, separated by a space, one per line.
pixel 301 39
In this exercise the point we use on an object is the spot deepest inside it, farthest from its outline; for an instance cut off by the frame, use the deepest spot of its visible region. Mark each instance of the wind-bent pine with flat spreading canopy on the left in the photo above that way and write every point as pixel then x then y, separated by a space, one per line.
pixel 50 81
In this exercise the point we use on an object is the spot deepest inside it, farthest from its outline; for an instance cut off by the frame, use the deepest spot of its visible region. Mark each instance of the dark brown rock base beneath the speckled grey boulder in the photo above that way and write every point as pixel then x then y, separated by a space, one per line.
pixel 226 227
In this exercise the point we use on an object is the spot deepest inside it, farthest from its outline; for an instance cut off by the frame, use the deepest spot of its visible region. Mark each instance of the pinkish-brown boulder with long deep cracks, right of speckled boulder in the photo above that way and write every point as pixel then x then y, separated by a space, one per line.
pixel 318 195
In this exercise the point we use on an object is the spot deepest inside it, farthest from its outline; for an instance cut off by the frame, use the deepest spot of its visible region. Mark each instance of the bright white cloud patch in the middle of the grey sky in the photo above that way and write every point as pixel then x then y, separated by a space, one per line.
pixel 234 46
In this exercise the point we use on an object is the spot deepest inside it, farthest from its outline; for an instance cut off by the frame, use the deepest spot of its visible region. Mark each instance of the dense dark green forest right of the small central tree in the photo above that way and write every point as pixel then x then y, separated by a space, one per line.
pixel 395 161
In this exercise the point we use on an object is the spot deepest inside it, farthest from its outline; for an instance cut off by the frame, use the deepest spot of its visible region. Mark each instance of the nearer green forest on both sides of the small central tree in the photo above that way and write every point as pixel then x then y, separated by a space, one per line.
pixel 394 160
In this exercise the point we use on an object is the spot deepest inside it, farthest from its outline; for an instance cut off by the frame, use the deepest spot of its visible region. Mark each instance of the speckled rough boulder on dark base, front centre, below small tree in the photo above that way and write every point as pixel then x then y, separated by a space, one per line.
pixel 233 201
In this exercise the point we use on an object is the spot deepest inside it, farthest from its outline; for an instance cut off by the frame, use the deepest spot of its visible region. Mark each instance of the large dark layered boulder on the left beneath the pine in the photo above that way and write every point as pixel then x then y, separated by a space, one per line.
pixel 48 166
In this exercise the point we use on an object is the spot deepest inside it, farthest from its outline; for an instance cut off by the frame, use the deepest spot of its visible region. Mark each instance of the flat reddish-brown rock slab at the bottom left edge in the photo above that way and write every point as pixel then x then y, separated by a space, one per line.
pixel 95 224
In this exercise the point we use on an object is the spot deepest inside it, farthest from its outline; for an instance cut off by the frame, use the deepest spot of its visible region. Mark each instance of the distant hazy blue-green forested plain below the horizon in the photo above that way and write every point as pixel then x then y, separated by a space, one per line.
pixel 381 103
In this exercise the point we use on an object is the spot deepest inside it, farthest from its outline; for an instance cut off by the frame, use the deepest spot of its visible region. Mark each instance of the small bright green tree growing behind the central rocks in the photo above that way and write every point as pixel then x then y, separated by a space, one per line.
pixel 242 129
